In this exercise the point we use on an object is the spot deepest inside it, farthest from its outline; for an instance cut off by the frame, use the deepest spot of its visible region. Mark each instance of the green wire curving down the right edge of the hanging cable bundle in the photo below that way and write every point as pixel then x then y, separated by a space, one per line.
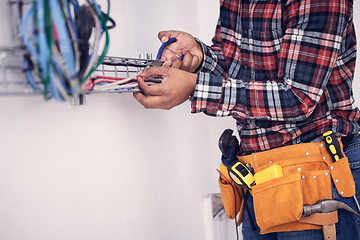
pixel 106 47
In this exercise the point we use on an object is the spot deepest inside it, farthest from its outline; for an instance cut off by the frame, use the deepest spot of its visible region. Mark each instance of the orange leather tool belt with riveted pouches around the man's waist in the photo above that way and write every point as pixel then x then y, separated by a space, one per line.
pixel 278 203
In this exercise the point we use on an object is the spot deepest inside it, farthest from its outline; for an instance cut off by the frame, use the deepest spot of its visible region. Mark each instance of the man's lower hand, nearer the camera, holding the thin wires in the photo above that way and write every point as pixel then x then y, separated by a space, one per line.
pixel 176 87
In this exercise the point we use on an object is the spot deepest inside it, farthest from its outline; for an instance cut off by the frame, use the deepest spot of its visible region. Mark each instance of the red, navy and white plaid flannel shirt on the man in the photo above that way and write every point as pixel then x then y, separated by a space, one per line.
pixel 283 69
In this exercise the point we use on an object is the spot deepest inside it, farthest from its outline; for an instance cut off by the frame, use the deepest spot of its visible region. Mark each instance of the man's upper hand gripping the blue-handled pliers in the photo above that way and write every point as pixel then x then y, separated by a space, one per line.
pixel 185 45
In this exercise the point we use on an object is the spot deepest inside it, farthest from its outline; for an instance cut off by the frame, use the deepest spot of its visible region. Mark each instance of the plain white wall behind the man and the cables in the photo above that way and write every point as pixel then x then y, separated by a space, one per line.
pixel 111 169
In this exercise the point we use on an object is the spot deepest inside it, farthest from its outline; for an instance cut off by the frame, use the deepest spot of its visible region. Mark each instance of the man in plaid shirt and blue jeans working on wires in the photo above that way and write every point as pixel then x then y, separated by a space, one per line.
pixel 283 69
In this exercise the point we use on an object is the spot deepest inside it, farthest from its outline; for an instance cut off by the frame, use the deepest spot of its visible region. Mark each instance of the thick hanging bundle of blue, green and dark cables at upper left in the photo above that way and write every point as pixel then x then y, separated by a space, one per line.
pixel 63 41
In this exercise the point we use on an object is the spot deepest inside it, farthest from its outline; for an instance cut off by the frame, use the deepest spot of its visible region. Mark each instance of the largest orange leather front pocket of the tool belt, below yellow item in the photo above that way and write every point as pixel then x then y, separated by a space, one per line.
pixel 278 201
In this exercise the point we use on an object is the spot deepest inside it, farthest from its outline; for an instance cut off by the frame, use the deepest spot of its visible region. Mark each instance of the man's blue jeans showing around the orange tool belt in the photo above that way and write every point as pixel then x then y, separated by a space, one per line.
pixel 348 227
